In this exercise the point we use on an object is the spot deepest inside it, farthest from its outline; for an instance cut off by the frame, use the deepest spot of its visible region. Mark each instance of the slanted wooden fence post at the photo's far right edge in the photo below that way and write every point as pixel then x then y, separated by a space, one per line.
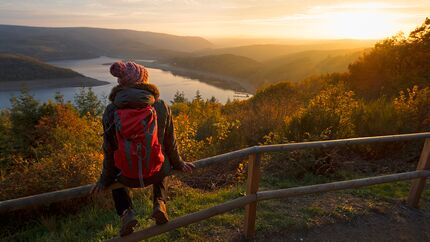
pixel 419 184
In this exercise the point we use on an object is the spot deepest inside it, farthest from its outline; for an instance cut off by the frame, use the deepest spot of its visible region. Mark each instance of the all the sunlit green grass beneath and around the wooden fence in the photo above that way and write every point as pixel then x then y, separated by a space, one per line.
pixel 98 221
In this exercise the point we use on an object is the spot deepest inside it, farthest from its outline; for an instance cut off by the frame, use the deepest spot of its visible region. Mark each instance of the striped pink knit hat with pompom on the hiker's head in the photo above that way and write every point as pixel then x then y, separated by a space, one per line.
pixel 129 73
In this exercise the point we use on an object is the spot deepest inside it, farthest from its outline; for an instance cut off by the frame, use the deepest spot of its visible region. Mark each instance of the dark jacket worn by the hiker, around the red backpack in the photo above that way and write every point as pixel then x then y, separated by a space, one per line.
pixel 138 96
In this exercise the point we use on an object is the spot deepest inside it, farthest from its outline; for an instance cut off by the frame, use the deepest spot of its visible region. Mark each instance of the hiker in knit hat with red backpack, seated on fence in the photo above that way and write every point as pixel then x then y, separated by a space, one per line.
pixel 139 143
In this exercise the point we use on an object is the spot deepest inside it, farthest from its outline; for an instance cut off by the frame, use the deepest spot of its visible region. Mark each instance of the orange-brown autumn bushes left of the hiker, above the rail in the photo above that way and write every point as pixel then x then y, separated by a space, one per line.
pixel 65 152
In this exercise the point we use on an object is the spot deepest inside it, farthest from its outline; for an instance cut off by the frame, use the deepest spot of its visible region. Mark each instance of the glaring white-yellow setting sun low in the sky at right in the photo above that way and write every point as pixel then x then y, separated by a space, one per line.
pixel 369 24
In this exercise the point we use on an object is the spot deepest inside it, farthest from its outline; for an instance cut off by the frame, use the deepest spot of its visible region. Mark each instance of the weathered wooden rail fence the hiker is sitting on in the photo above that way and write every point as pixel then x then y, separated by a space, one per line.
pixel 249 201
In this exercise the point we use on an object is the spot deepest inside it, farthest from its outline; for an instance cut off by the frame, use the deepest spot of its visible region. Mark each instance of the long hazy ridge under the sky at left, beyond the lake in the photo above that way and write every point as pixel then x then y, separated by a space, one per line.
pixel 74 43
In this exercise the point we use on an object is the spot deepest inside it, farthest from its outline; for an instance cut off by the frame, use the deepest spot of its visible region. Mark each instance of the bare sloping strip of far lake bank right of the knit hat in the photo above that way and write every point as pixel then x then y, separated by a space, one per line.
pixel 221 81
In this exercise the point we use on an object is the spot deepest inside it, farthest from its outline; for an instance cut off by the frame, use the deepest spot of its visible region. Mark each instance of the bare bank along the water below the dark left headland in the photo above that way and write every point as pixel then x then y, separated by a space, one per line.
pixel 79 81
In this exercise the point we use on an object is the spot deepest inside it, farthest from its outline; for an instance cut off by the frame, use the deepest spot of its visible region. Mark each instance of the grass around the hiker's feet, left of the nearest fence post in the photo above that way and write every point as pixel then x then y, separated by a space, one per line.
pixel 98 221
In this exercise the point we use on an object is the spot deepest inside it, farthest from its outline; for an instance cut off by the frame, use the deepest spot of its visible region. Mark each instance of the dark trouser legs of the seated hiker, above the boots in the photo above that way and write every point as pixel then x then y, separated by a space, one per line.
pixel 122 200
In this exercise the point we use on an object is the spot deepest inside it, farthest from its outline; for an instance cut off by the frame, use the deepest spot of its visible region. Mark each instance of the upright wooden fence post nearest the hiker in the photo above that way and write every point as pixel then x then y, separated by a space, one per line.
pixel 252 189
